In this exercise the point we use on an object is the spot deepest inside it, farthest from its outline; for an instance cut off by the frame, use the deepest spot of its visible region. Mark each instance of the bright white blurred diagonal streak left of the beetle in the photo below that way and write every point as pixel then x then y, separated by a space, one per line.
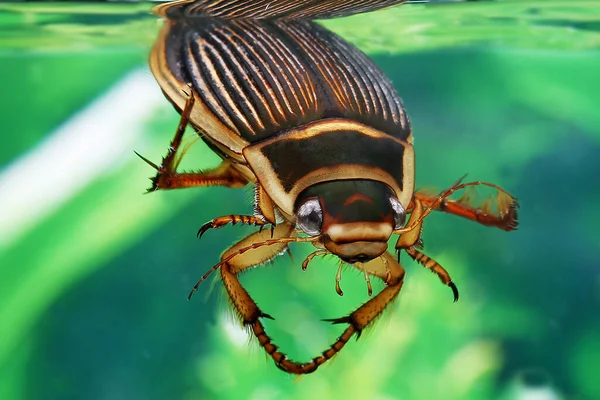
pixel 93 141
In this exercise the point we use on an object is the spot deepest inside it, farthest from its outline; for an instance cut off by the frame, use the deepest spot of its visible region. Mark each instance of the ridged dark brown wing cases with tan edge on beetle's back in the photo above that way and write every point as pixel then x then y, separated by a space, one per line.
pixel 259 78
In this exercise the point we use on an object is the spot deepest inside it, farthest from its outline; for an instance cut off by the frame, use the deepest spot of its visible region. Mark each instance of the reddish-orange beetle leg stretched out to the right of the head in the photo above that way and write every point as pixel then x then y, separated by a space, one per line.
pixel 504 217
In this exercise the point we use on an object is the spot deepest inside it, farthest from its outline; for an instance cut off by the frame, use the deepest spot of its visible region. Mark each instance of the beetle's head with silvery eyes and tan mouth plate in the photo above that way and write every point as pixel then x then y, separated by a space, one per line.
pixel 354 217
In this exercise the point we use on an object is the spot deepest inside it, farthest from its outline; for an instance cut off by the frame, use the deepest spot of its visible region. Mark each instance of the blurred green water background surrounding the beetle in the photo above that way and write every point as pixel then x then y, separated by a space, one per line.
pixel 94 275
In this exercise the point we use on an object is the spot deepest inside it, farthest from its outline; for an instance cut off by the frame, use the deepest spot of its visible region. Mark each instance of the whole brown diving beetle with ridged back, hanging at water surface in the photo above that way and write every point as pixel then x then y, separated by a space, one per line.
pixel 320 132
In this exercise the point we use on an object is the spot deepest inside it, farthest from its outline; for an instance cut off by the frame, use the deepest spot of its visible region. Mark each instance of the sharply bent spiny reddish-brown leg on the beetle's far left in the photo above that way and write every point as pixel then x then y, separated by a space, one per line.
pixel 167 176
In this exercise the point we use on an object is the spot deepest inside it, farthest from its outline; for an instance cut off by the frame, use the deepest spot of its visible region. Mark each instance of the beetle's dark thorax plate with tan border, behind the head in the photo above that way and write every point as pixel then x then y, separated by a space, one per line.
pixel 330 150
